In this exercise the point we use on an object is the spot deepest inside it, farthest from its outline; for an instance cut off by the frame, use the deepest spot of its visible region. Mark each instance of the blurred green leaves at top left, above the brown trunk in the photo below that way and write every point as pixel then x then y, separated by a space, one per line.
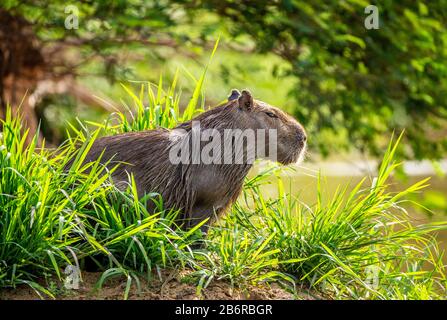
pixel 103 27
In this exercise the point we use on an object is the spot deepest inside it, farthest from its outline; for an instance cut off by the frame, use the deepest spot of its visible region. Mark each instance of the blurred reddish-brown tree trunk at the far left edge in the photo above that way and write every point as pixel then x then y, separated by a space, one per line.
pixel 21 67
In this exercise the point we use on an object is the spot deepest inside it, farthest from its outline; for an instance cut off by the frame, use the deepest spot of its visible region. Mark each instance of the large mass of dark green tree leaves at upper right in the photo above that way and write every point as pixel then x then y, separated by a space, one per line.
pixel 349 80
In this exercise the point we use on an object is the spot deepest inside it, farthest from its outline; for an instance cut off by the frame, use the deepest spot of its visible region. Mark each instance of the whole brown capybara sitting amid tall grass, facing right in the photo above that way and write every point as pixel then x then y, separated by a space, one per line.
pixel 196 187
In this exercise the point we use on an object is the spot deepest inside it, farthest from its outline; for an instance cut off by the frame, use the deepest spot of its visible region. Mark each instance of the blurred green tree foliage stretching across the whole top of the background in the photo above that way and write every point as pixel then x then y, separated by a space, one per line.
pixel 348 81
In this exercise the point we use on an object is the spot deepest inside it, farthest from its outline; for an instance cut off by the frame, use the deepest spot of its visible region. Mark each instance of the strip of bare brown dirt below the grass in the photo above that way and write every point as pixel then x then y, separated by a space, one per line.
pixel 170 286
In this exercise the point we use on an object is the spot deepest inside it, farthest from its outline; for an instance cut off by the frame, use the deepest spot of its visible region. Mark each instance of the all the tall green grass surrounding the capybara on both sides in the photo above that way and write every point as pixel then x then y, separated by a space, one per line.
pixel 355 245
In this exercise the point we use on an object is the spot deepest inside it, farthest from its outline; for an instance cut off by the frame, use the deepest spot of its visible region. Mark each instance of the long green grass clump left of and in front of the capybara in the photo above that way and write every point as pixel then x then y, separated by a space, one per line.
pixel 52 216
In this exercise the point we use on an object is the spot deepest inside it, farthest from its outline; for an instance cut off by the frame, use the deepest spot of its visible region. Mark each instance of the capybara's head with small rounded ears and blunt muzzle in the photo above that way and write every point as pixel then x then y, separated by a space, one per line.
pixel 280 128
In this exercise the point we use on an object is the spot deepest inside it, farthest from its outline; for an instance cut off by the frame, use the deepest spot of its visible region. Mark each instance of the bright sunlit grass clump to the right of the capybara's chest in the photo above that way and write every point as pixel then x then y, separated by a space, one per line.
pixel 358 244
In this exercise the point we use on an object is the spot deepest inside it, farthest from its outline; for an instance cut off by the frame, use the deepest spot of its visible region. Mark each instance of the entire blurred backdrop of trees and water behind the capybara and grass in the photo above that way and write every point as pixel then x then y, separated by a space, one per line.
pixel 350 73
